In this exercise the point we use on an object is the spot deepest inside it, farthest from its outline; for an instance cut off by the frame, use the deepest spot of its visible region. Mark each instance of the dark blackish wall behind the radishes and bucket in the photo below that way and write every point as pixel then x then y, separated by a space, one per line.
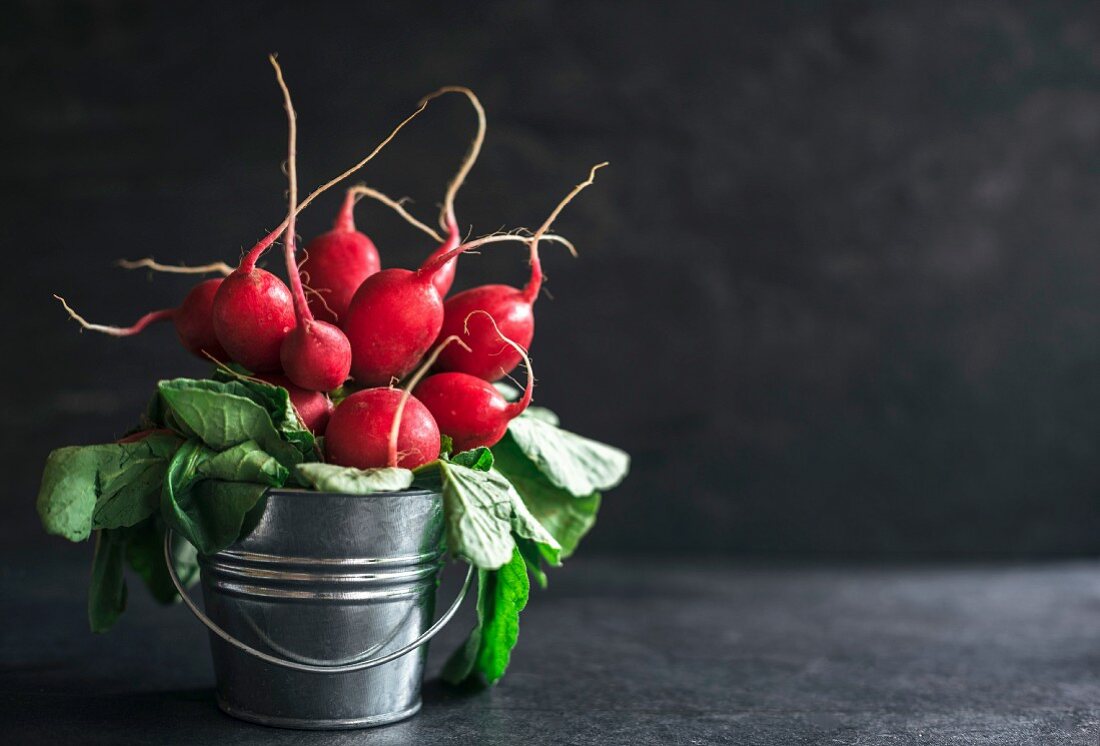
pixel 838 293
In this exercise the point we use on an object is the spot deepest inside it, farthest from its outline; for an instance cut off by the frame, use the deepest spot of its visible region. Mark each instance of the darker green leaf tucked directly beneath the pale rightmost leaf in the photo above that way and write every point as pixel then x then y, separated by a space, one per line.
pixel 568 519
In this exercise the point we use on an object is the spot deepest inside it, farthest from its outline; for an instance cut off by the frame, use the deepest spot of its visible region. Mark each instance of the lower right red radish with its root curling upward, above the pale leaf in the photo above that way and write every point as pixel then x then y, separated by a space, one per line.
pixel 469 410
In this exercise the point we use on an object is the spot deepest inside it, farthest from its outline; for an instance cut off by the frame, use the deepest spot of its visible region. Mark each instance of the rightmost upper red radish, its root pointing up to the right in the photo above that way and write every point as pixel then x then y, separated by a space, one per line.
pixel 511 311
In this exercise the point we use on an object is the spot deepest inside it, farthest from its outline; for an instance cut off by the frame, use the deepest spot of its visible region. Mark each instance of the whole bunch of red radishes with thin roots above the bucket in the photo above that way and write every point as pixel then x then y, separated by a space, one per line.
pixel 366 328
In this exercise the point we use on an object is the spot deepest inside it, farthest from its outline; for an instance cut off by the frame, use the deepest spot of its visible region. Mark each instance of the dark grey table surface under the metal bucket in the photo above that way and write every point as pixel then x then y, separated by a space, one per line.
pixel 621 652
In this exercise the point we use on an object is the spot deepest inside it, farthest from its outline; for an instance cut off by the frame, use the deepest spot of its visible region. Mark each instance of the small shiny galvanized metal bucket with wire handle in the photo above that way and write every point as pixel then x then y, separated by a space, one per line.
pixel 320 617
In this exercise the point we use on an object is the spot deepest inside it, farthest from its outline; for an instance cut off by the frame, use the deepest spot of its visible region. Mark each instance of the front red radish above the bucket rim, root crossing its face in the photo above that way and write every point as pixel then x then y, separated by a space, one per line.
pixel 384 427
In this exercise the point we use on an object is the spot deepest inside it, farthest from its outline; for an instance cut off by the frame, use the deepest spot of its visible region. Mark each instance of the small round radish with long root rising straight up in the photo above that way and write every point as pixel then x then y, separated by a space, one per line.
pixel 315 355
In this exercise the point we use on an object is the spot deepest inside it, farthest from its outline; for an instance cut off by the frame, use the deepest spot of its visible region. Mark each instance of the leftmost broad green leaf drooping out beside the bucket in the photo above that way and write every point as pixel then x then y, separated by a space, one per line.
pixel 78 478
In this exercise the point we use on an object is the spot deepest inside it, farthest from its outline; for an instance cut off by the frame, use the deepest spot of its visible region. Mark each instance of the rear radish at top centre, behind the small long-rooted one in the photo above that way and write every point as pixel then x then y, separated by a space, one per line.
pixel 337 264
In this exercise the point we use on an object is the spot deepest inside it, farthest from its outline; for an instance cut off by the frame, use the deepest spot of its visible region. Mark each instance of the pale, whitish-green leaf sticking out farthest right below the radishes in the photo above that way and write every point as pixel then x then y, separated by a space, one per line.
pixel 570 462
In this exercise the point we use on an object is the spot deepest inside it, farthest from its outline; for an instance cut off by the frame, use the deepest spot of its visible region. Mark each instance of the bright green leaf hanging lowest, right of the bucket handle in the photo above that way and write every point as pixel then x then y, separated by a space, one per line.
pixel 486 655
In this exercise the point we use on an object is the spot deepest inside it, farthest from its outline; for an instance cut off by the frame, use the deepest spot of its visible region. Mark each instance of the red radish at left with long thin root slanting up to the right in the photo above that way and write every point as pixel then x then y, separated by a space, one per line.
pixel 254 311
